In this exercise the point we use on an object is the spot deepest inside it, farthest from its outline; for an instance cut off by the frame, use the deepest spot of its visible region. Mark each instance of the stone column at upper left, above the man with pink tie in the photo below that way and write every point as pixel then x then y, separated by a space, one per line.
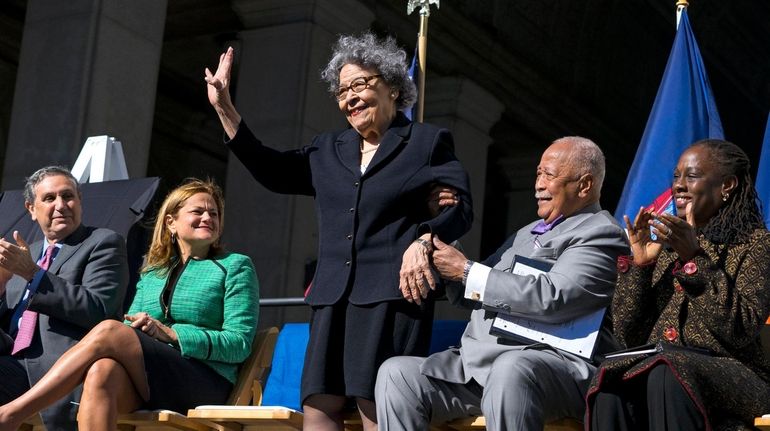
pixel 86 68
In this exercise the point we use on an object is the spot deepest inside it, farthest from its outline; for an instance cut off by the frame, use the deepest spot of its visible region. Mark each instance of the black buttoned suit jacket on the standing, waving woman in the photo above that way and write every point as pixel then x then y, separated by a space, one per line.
pixel 366 222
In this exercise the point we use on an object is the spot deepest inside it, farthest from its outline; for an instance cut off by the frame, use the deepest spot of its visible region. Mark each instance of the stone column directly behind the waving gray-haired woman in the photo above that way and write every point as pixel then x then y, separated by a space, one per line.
pixel 279 94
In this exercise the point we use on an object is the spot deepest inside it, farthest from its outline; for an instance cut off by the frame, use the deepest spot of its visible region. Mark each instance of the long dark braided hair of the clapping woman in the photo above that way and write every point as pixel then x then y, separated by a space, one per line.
pixel 737 218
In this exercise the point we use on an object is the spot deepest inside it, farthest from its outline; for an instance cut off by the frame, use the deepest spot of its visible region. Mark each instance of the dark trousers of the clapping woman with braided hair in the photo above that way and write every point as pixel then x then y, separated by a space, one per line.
pixel 655 401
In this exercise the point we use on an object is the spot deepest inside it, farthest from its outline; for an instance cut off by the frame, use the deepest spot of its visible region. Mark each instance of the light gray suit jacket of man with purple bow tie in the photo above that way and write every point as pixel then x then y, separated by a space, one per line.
pixel 583 250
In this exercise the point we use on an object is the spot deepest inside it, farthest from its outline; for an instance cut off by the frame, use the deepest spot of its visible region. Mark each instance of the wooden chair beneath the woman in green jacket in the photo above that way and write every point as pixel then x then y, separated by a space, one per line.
pixel 252 373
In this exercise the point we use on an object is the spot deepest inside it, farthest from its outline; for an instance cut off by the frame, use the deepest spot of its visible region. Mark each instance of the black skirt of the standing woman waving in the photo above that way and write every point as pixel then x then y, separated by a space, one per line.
pixel 349 342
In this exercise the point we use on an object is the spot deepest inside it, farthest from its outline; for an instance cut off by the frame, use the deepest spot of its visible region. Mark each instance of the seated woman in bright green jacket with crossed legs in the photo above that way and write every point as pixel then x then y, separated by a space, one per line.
pixel 189 326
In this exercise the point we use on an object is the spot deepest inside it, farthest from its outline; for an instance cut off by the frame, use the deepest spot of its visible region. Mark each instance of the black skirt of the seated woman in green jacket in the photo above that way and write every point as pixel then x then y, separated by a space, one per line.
pixel 177 383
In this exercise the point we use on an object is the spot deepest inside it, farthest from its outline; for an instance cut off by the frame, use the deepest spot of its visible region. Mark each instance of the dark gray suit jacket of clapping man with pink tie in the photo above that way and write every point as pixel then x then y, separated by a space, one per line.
pixel 85 284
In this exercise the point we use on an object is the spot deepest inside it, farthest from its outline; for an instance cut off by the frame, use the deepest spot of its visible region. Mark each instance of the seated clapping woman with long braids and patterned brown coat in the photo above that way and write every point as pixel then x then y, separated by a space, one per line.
pixel 699 293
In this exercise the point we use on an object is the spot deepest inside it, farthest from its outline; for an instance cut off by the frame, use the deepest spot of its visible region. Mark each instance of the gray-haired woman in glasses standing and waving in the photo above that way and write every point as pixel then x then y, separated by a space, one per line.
pixel 371 294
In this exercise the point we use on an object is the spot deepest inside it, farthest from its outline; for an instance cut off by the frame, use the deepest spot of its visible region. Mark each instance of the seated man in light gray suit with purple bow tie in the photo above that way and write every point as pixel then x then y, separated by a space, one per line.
pixel 518 384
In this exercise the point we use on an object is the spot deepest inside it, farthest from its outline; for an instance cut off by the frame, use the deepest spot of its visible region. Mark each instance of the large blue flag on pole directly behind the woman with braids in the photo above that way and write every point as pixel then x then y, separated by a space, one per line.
pixel 684 112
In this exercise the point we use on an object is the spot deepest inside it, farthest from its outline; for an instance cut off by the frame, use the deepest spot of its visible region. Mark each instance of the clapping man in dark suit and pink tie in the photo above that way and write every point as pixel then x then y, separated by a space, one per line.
pixel 54 291
